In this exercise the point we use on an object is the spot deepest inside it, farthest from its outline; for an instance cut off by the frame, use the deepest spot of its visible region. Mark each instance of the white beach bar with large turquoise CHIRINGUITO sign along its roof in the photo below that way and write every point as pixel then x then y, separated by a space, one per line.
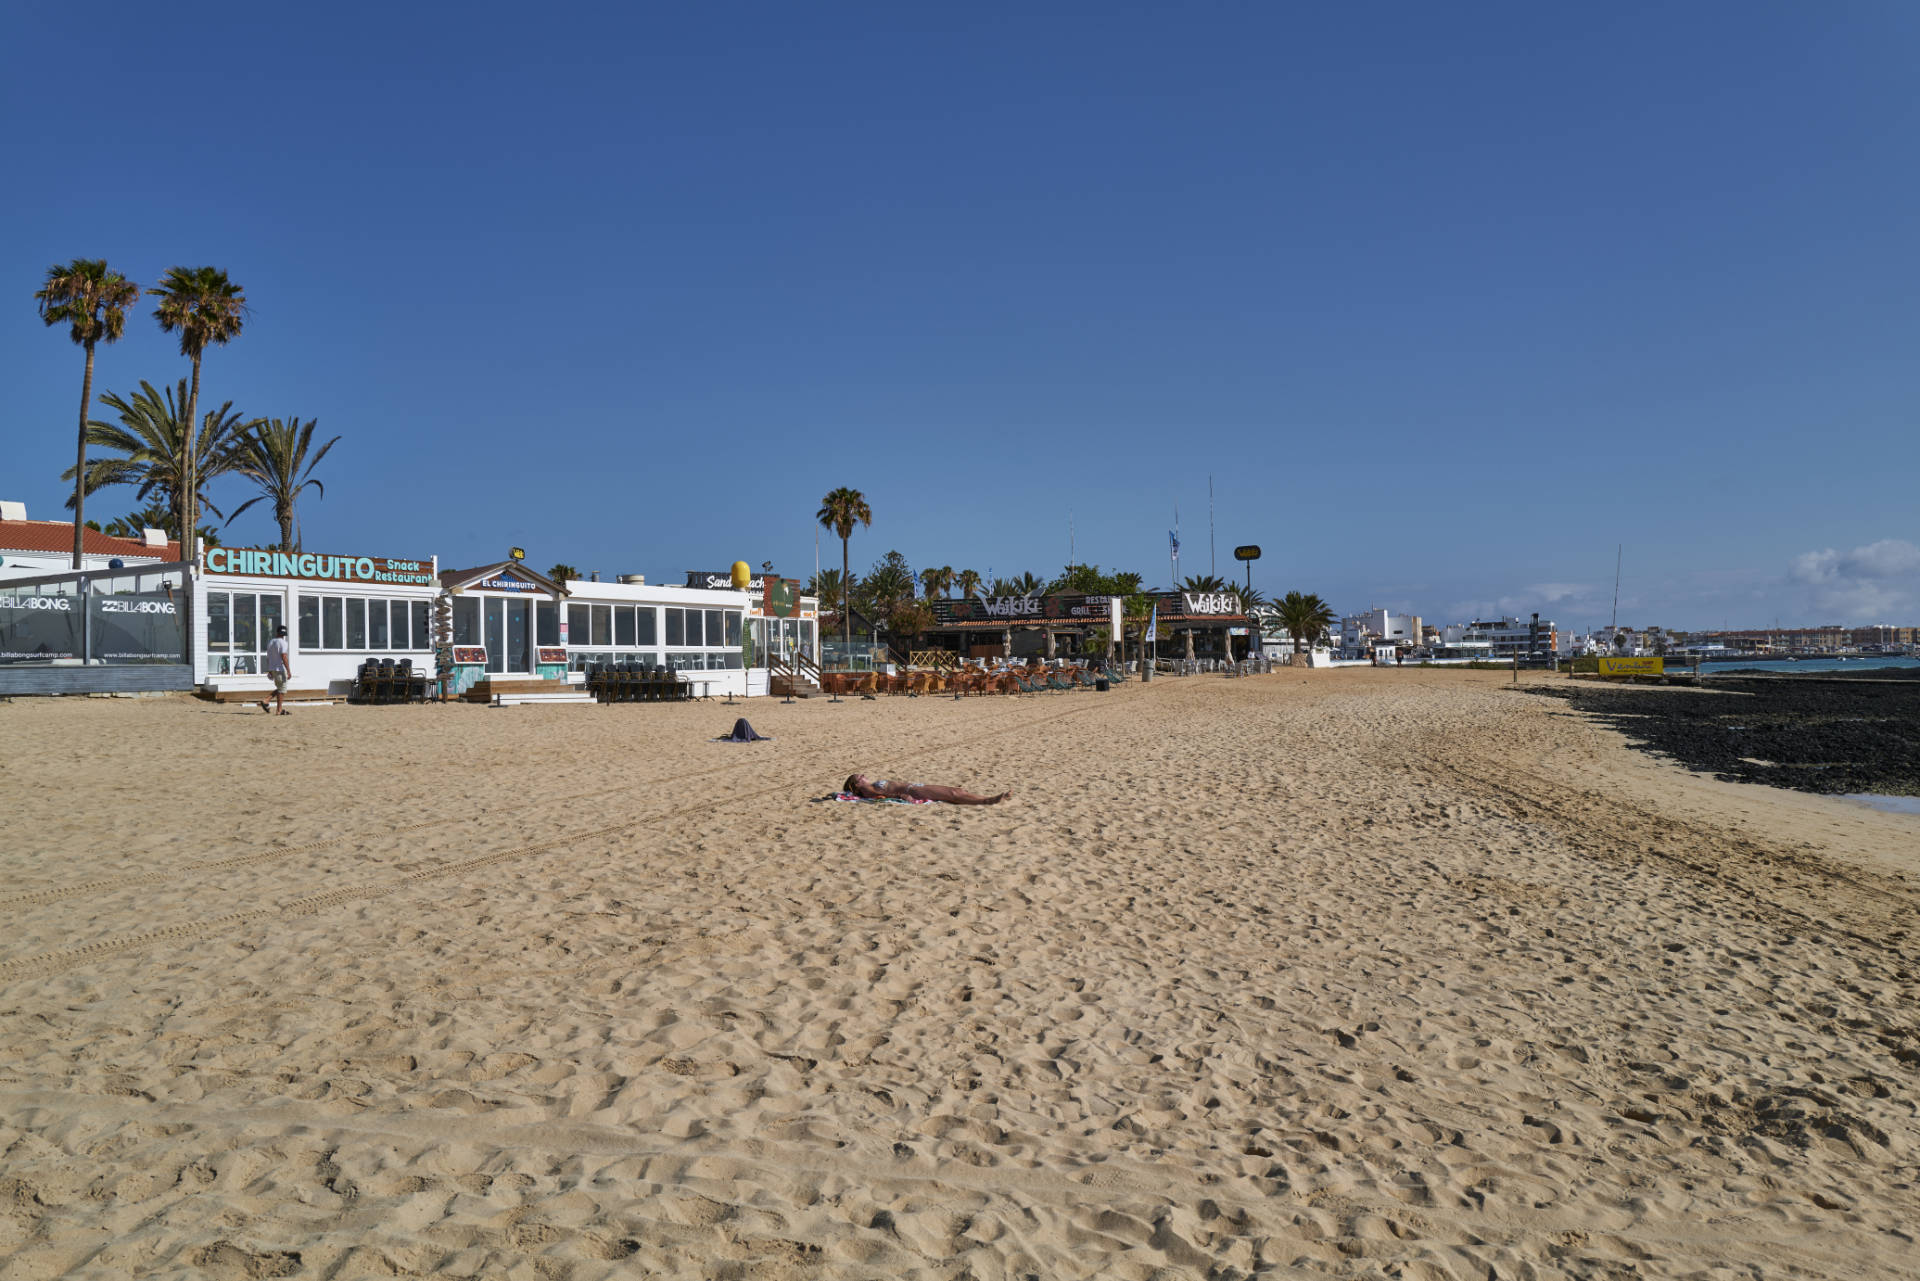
pixel 337 610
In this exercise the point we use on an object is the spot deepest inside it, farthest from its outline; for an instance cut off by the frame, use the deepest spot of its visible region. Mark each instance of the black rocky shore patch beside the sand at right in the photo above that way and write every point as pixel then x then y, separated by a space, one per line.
pixel 1806 733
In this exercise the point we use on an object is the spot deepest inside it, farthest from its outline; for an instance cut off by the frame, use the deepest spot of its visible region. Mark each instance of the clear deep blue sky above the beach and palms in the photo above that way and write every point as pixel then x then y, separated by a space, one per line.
pixel 1447 301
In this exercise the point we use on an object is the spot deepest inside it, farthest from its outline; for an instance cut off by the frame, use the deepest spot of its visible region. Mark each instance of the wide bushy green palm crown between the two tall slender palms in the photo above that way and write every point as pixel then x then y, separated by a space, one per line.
pixel 156 458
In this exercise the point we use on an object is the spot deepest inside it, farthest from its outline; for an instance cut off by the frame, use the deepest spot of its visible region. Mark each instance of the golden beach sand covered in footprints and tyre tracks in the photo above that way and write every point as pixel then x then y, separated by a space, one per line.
pixel 1345 975
